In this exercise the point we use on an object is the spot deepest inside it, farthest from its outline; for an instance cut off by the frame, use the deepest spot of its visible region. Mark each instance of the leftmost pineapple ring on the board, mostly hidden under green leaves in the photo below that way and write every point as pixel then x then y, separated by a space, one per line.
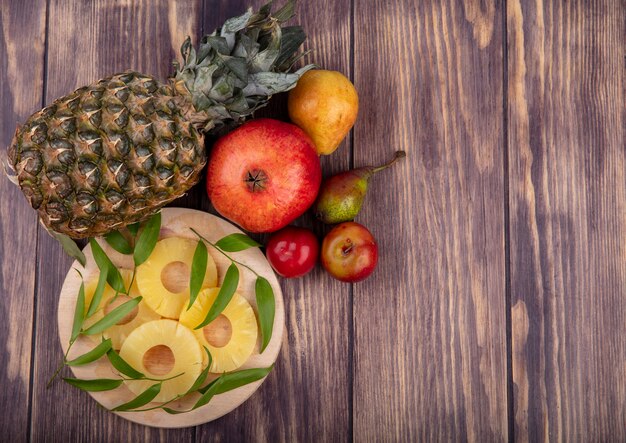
pixel 118 332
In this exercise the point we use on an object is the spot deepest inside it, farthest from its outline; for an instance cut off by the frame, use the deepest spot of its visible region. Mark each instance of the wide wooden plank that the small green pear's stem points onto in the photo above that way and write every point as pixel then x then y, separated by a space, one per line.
pixel 430 325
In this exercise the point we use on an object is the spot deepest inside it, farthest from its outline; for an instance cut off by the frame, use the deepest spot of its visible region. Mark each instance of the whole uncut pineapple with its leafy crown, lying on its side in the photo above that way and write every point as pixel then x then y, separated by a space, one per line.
pixel 114 152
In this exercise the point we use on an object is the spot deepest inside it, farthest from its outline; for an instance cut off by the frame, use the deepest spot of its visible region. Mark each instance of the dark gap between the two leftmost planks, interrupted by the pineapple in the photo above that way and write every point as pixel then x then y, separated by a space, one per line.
pixel 33 343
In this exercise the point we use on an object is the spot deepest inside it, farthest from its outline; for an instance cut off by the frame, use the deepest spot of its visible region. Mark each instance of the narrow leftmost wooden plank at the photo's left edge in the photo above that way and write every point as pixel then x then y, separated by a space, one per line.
pixel 22 32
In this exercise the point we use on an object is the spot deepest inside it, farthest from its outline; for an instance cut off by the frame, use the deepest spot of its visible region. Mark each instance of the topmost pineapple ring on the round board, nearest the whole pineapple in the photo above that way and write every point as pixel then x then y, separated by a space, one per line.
pixel 163 279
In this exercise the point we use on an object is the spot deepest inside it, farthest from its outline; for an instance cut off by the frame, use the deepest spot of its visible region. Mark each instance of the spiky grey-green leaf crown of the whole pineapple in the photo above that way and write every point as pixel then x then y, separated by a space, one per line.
pixel 237 68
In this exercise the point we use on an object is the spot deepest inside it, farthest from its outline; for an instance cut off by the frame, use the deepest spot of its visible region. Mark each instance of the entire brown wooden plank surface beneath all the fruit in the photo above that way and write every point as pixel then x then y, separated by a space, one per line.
pixel 498 309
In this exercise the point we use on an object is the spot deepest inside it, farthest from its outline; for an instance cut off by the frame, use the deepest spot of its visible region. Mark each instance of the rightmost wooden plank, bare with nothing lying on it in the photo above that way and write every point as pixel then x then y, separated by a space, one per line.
pixel 568 219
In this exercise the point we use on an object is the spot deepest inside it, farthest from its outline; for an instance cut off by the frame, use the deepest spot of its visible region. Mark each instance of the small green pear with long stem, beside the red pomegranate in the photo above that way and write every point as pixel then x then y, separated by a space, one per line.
pixel 341 196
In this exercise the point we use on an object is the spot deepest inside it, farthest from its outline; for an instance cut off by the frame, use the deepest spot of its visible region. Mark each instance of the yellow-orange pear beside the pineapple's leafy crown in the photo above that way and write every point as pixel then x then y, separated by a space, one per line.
pixel 325 105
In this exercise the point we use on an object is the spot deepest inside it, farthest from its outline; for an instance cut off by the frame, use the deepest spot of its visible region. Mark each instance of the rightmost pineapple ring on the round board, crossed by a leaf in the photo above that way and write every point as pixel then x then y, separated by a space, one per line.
pixel 231 337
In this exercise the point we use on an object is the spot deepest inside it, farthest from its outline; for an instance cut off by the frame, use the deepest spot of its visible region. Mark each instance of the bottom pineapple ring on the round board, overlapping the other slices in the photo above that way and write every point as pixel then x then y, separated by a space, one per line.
pixel 161 349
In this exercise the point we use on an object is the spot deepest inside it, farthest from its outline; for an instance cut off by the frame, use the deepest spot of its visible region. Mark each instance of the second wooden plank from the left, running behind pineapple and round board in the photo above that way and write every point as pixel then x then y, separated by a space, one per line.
pixel 86 41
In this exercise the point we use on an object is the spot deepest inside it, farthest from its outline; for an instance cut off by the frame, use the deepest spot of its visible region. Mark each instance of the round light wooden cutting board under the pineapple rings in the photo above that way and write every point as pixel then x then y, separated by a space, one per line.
pixel 175 223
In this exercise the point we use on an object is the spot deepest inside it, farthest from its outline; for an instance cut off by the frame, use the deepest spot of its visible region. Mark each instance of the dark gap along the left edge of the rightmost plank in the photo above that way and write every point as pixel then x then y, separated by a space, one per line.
pixel 507 229
